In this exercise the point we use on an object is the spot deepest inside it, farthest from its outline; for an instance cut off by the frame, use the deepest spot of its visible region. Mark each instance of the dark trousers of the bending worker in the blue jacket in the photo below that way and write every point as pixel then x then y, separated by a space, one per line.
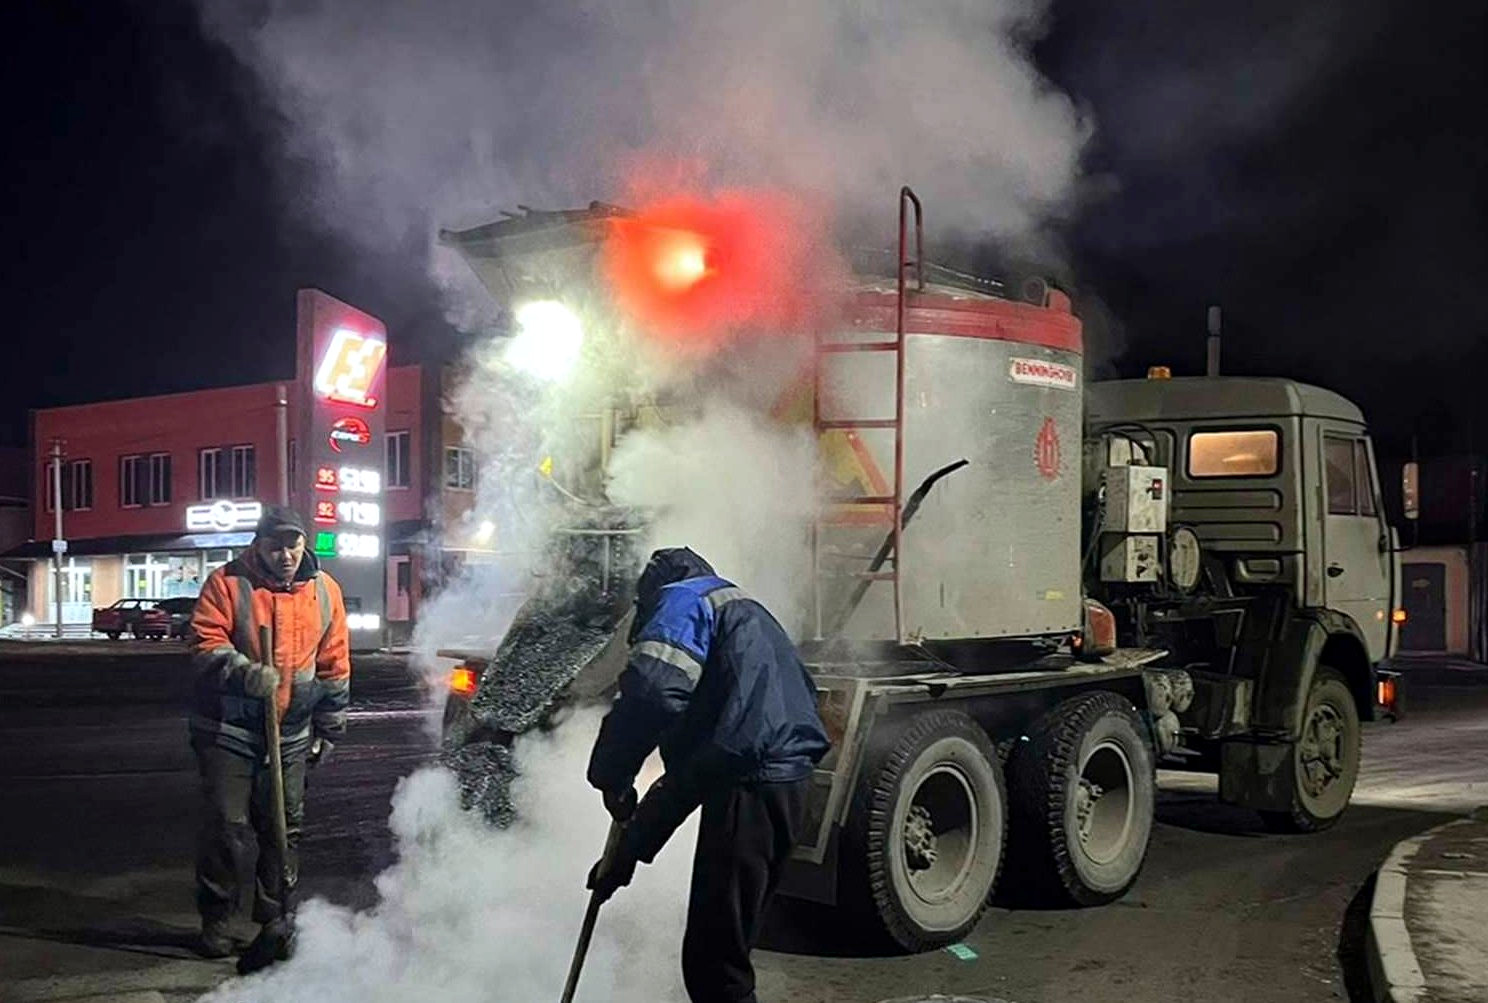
pixel 746 837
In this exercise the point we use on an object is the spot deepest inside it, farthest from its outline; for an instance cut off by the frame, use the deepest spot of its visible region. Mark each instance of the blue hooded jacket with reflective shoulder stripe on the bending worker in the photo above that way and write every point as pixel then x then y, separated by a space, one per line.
pixel 713 681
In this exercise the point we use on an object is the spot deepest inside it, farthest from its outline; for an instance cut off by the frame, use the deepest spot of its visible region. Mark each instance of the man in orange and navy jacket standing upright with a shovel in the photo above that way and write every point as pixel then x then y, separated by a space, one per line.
pixel 276 583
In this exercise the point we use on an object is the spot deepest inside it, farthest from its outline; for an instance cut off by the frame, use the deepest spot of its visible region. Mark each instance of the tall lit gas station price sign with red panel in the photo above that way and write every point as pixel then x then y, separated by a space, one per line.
pixel 343 379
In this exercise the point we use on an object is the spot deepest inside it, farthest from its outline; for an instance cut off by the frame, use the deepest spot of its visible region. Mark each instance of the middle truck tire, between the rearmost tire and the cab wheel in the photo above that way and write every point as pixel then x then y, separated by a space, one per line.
pixel 1084 794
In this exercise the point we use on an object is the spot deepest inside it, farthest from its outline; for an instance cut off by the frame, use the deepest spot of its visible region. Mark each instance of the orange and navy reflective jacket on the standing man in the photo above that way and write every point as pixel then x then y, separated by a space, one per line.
pixel 312 654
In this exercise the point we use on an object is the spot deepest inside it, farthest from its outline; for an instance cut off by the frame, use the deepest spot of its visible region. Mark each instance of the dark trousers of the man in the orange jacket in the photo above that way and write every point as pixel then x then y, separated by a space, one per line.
pixel 237 801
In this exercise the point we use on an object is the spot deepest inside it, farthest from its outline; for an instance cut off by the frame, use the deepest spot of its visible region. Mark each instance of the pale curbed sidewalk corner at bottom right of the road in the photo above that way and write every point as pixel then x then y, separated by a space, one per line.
pixel 1429 919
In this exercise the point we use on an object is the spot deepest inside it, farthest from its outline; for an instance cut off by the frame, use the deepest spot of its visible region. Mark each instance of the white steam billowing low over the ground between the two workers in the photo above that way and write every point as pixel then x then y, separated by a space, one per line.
pixel 478 916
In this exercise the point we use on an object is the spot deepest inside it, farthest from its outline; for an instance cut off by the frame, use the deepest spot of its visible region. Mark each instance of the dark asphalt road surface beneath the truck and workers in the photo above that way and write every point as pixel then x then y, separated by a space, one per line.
pixel 99 794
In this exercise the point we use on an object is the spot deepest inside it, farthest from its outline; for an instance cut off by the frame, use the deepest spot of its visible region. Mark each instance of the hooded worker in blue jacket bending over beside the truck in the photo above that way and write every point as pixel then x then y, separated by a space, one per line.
pixel 713 682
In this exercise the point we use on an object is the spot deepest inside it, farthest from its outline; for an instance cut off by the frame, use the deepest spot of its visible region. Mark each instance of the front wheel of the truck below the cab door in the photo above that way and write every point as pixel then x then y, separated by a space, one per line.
pixel 1325 760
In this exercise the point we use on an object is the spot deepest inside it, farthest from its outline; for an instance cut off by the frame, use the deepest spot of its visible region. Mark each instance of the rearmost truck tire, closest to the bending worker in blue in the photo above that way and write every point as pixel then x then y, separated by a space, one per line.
pixel 926 833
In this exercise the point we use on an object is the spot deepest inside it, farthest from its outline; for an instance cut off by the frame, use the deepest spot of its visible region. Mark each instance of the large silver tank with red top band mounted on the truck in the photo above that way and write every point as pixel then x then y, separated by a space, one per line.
pixel 993 551
